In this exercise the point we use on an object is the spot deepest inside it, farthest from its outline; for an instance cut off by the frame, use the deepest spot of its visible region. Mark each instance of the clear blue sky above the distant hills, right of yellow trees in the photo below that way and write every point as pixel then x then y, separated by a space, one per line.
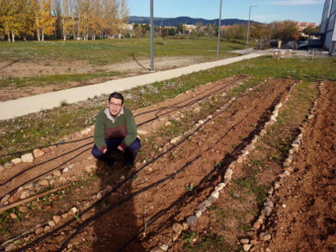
pixel 266 11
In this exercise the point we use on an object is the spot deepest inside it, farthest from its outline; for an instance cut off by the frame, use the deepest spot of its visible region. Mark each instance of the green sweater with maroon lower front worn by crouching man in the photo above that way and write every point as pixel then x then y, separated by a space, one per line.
pixel 120 126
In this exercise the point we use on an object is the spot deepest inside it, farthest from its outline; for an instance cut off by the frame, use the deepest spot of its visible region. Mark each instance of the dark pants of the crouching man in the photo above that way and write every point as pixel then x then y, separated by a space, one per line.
pixel 112 147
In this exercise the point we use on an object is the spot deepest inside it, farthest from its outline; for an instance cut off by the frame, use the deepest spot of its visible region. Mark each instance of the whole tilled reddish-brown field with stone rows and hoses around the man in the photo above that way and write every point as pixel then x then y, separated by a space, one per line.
pixel 209 141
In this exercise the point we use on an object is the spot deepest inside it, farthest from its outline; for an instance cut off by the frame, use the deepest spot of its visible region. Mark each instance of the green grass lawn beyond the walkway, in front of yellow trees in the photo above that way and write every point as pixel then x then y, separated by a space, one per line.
pixel 109 51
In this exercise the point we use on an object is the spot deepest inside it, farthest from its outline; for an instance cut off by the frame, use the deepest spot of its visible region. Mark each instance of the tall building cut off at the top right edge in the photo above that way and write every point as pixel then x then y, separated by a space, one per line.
pixel 328 25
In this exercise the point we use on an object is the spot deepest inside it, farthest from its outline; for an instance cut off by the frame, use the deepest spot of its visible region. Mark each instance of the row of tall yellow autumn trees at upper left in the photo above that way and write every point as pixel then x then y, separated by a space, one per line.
pixel 82 19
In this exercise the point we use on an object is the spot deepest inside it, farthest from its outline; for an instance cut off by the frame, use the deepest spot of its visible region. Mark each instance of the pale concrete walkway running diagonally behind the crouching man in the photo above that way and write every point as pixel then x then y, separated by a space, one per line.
pixel 36 103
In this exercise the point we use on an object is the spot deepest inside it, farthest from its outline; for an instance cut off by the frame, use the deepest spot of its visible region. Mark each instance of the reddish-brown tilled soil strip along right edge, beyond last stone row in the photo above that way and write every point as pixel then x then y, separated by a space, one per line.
pixel 308 223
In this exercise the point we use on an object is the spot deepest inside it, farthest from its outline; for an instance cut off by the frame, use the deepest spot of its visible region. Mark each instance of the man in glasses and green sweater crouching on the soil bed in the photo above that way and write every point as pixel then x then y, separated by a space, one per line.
pixel 115 133
